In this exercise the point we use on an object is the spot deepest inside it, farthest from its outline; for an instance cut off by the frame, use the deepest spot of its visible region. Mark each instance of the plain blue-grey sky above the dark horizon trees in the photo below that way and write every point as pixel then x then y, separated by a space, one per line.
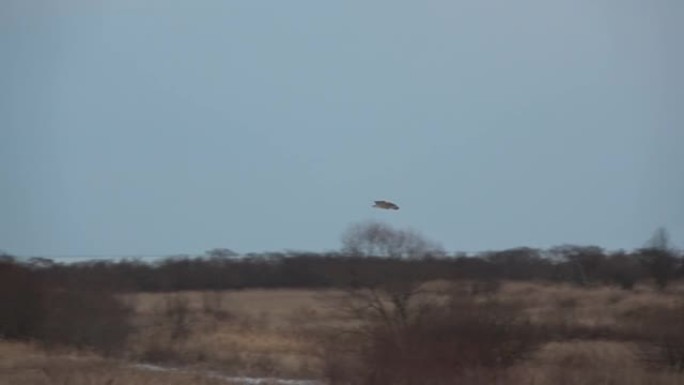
pixel 166 126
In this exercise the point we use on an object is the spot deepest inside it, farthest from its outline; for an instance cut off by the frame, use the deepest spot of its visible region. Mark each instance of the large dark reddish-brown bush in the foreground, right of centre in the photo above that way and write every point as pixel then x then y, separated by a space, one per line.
pixel 432 344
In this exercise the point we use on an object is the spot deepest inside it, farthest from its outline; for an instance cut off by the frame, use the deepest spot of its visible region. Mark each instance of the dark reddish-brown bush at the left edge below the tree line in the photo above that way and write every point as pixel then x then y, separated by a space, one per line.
pixel 31 309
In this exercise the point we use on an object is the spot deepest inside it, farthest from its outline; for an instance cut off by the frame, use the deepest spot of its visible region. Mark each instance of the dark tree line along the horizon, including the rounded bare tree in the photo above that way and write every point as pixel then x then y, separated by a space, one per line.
pixel 372 254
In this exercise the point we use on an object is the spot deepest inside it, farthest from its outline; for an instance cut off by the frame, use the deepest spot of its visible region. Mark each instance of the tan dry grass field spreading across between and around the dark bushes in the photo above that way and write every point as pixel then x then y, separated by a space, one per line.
pixel 281 333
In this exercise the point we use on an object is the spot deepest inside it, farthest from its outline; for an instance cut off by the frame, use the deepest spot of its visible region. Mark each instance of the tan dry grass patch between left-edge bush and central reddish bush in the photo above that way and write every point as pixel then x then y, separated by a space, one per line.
pixel 251 332
